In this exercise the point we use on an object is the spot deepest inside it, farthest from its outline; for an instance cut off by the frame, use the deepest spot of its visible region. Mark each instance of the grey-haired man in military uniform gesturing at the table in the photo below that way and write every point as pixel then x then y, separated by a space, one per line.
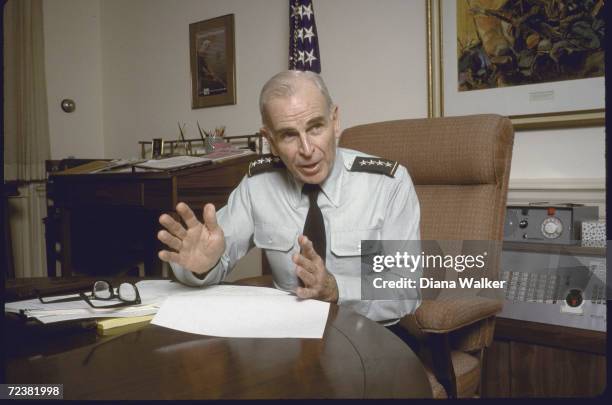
pixel 308 206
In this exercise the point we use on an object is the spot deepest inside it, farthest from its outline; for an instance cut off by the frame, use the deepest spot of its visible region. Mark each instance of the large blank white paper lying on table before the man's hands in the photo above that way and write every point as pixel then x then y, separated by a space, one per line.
pixel 247 314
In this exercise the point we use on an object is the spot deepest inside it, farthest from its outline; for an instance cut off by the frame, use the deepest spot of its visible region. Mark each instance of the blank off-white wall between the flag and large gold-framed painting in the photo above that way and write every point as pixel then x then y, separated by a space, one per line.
pixel 373 56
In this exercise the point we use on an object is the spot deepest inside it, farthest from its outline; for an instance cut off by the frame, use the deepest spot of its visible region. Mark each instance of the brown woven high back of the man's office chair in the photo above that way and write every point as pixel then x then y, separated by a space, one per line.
pixel 460 167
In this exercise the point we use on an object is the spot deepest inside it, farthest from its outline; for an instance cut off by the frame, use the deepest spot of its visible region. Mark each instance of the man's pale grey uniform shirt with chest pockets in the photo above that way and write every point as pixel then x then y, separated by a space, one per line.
pixel 268 211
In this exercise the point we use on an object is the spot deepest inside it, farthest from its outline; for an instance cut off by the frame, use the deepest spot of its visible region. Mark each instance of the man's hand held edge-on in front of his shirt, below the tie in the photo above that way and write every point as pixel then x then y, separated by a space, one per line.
pixel 318 282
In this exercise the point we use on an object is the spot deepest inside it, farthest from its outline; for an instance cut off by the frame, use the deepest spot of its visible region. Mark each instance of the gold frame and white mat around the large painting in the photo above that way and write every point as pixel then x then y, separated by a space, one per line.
pixel 526 115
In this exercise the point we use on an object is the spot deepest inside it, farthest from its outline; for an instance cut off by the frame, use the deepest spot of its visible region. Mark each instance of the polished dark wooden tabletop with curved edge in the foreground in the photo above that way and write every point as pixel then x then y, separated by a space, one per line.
pixel 356 358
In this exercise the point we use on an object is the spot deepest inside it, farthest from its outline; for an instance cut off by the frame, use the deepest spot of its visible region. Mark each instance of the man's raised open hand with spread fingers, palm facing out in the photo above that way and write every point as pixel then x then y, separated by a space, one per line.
pixel 198 247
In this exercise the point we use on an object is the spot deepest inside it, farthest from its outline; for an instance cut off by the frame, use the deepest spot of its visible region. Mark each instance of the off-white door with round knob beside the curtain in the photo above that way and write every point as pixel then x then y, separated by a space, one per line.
pixel 73 70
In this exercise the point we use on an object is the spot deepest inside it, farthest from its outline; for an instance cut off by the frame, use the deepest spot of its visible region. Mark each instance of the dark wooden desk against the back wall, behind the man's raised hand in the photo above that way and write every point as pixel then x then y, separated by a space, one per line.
pixel 109 221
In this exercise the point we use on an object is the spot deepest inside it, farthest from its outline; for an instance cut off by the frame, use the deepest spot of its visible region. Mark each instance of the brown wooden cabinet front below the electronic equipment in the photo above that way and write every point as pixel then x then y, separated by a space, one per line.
pixel 530 359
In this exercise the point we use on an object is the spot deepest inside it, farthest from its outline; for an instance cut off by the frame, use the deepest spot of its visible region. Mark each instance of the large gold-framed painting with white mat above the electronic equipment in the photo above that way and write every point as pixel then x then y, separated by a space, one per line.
pixel 539 63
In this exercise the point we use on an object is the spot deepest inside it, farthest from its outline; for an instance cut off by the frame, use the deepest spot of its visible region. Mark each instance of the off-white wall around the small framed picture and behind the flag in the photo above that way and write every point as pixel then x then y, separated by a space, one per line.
pixel 146 72
